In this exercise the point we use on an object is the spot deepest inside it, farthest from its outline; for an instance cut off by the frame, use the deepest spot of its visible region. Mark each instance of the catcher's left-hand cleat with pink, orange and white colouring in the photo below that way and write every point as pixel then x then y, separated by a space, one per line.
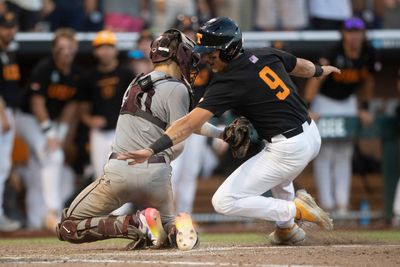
pixel 150 225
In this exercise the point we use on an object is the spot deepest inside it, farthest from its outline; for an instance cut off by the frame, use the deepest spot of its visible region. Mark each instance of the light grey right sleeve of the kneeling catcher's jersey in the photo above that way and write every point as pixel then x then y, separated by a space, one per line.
pixel 178 103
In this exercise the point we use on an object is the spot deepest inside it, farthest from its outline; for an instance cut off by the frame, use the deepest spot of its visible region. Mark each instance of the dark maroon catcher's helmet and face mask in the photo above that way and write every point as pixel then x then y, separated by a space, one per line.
pixel 183 55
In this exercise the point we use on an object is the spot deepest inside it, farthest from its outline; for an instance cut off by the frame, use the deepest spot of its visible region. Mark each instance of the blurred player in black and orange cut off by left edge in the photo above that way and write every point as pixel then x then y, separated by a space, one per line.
pixel 9 100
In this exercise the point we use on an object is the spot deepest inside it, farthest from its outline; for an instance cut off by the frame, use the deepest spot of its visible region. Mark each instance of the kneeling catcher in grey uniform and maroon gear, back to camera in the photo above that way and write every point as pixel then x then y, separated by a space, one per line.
pixel 150 103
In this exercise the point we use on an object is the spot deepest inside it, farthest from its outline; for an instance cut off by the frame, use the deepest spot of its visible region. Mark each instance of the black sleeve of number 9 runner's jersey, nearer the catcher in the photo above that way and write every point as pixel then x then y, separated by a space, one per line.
pixel 218 98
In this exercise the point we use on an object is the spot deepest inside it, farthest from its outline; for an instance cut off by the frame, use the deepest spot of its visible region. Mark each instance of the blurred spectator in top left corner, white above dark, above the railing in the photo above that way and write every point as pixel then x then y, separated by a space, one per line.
pixel 27 11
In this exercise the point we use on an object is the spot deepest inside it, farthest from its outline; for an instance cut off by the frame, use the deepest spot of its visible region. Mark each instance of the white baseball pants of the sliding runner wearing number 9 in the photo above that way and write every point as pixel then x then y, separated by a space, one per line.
pixel 274 168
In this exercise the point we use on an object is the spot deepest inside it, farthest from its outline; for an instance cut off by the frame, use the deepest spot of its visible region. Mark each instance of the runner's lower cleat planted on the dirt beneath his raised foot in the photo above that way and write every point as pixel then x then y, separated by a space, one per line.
pixel 287 236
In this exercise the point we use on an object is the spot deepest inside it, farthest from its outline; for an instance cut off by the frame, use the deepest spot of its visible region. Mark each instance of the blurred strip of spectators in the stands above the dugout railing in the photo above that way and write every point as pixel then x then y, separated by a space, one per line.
pixel 254 15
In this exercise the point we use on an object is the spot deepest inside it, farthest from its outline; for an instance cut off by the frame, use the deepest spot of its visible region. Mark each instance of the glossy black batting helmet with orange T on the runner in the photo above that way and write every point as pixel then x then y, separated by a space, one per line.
pixel 219 34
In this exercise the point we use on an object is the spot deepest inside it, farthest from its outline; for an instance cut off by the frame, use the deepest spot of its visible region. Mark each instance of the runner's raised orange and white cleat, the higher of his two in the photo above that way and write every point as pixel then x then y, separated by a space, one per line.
pixel 308 210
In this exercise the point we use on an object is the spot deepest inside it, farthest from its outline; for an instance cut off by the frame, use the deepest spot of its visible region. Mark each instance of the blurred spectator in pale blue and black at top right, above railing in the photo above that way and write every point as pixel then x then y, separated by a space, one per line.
pixel 329 14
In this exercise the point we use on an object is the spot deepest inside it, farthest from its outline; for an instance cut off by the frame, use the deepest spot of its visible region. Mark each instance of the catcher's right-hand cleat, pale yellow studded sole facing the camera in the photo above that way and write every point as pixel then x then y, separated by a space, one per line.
pixel 186 235
